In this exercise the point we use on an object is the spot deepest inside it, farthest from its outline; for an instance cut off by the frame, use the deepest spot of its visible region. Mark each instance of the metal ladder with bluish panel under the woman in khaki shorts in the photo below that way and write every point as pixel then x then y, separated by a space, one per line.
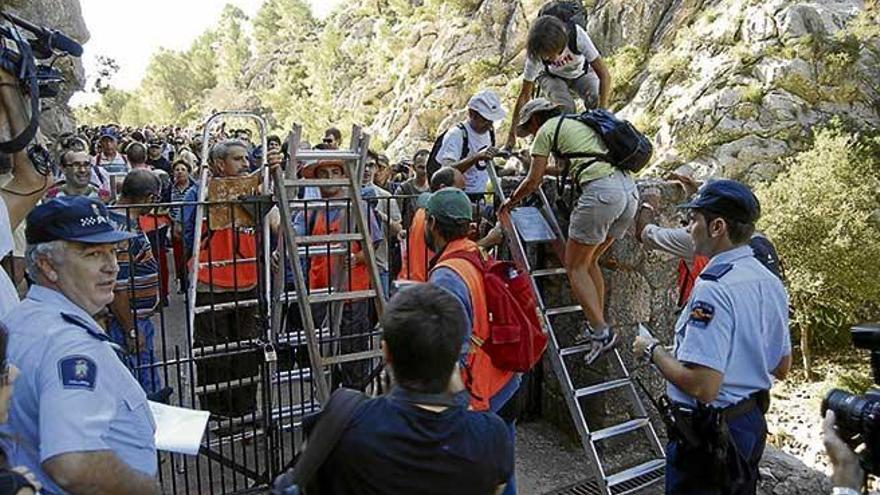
pixel 532 225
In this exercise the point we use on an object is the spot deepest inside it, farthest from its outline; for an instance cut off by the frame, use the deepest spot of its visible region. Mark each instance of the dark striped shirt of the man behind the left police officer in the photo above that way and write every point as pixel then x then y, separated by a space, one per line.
pixel 138 269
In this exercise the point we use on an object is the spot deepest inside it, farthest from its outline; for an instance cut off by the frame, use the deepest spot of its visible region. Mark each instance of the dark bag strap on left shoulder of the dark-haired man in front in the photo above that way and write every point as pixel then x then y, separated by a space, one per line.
pixel 335 417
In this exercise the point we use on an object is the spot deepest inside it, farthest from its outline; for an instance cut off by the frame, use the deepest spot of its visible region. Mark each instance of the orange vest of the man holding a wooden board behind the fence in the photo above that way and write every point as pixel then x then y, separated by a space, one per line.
pixel 222 247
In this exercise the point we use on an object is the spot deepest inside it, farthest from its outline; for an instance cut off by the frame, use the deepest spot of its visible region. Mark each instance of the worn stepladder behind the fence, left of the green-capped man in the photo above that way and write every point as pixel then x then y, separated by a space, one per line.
pixel 336 246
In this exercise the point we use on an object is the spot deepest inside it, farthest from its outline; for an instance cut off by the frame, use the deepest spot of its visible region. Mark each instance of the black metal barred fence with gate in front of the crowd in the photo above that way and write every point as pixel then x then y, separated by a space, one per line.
pixel 244 356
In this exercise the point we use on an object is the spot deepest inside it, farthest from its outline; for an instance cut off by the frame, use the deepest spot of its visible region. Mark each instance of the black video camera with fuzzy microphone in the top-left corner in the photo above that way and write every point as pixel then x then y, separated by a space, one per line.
pixel 18 57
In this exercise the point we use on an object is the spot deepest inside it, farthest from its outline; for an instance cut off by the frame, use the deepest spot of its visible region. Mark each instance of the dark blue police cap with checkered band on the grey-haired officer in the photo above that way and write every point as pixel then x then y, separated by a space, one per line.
pixel 73 218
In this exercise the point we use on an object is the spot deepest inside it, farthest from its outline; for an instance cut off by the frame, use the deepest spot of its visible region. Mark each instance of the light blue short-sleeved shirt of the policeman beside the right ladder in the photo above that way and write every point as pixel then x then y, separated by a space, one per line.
pixel 736 323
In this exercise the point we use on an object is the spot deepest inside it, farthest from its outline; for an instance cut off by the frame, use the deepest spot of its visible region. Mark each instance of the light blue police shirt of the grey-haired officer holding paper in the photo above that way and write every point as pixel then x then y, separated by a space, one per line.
pixel 74 394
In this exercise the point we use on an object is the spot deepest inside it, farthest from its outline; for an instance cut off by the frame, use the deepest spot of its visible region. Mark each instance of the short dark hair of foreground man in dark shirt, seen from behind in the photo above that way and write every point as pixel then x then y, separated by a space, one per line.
pixel 423 327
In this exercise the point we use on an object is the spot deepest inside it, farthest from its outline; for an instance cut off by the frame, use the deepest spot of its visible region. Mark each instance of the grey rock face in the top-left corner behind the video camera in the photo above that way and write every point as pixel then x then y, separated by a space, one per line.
pixel 65 16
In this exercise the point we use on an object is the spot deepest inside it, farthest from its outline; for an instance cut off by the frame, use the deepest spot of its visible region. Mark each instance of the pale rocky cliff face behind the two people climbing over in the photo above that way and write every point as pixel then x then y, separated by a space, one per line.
pixel 729 86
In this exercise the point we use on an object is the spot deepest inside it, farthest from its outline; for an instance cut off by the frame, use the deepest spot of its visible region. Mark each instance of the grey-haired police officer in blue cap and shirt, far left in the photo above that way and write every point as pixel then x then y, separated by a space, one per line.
pixel 81 420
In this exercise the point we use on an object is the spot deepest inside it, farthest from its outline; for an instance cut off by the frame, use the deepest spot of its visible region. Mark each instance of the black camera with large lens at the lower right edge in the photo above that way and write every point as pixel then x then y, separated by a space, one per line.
pixel 858 416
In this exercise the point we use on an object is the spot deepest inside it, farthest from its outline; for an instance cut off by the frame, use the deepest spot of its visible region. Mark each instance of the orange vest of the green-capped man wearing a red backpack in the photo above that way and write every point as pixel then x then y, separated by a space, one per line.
pixel 480 376
